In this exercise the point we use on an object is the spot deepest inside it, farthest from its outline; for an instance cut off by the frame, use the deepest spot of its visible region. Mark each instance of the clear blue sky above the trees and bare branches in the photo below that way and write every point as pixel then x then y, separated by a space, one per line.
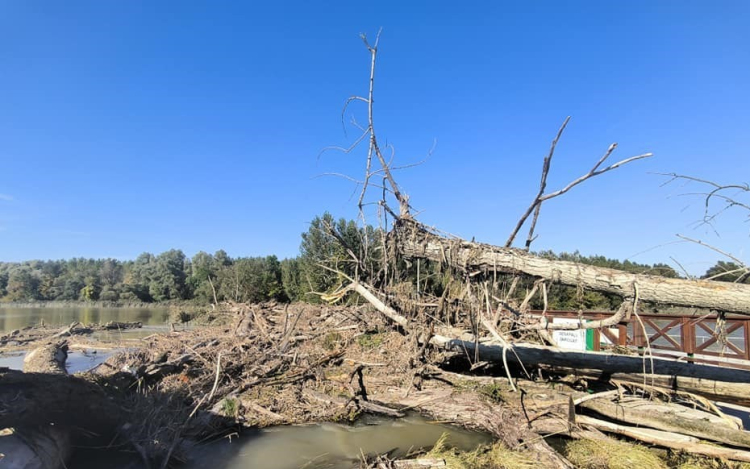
pixel 141 126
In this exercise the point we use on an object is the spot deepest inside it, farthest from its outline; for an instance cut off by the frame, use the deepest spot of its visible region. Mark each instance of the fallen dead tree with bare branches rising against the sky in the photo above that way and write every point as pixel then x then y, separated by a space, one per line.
pixel 471 264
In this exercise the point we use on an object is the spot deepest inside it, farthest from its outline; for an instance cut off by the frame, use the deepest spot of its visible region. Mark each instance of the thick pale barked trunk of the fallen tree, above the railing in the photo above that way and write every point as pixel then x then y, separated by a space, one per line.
pixel 413 240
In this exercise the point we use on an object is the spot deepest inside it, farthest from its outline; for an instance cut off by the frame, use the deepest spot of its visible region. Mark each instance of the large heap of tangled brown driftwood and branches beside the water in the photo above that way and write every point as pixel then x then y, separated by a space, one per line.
pixel 274 364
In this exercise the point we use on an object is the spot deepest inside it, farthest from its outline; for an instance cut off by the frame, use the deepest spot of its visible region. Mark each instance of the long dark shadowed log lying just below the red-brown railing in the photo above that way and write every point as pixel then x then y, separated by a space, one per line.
pixel 530 354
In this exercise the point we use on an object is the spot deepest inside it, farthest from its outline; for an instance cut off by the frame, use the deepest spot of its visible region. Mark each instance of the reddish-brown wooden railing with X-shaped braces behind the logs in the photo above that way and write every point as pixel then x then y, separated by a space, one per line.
pixel 695 339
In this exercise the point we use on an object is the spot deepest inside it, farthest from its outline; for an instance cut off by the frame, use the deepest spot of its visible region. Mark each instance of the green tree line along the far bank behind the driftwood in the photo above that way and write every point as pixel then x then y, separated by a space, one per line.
pixel 206 278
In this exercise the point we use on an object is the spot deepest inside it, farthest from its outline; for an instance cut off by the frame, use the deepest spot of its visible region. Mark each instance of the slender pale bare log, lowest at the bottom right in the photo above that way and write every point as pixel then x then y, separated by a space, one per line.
pixel 666 440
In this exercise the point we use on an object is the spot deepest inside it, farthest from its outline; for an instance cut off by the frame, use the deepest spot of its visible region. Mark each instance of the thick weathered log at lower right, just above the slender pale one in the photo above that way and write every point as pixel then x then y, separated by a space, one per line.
pixel 669 422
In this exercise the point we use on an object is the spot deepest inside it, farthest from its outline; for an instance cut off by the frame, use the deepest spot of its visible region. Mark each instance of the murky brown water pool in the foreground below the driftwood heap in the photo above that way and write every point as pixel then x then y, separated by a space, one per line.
pixel 325 445
